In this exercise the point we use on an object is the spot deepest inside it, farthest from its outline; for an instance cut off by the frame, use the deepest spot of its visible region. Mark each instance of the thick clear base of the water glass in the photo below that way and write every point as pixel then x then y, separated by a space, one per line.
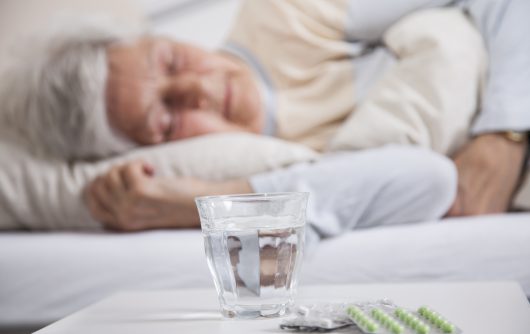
pixel 255 311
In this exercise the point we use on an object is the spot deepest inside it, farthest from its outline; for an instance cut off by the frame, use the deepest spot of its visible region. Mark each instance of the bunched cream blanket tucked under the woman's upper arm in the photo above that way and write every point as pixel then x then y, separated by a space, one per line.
pixel 429 96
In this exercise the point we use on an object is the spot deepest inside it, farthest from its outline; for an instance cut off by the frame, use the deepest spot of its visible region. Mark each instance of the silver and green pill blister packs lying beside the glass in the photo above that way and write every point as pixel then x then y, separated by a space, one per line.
pixel 379 317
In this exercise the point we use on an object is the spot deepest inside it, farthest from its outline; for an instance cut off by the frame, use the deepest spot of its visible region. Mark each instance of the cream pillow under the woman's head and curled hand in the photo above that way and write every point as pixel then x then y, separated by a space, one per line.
pixel 38 193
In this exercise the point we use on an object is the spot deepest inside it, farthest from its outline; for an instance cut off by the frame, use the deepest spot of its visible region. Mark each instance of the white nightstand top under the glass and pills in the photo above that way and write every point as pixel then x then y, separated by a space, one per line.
pixel 477 308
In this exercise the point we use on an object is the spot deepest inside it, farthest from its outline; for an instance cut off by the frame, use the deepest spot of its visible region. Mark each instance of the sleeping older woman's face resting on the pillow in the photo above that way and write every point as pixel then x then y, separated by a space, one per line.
pixel 159 90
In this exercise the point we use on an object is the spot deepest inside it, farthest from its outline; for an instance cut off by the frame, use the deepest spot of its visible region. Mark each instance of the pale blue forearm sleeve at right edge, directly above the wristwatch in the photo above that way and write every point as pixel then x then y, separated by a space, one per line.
pixel 505 25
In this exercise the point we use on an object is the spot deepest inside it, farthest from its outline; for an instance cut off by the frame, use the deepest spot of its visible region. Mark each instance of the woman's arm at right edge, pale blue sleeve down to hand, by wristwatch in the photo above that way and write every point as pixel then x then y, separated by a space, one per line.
pixel 490 166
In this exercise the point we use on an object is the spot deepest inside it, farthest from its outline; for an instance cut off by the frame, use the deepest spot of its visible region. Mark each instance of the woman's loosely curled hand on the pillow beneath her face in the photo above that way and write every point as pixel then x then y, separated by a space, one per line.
pixel 130 197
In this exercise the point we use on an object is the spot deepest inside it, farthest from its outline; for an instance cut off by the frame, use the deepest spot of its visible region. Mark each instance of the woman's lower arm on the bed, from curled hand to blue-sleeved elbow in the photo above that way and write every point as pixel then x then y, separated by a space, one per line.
pixel 389 185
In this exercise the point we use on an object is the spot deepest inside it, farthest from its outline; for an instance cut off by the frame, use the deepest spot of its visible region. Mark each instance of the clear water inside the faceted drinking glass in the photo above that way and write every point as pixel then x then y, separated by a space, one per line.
pixel 254 262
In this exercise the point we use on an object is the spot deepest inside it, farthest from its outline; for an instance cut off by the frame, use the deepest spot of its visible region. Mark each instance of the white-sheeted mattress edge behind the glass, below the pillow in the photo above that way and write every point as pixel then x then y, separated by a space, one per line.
pixel 46 276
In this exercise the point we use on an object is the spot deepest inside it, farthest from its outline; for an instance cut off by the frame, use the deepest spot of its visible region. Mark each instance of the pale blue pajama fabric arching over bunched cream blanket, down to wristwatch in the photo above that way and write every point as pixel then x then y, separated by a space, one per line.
pixel 505 27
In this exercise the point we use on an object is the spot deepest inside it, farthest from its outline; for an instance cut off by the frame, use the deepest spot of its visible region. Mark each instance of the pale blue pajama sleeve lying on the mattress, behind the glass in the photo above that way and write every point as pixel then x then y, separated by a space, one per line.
pixel 382 186
